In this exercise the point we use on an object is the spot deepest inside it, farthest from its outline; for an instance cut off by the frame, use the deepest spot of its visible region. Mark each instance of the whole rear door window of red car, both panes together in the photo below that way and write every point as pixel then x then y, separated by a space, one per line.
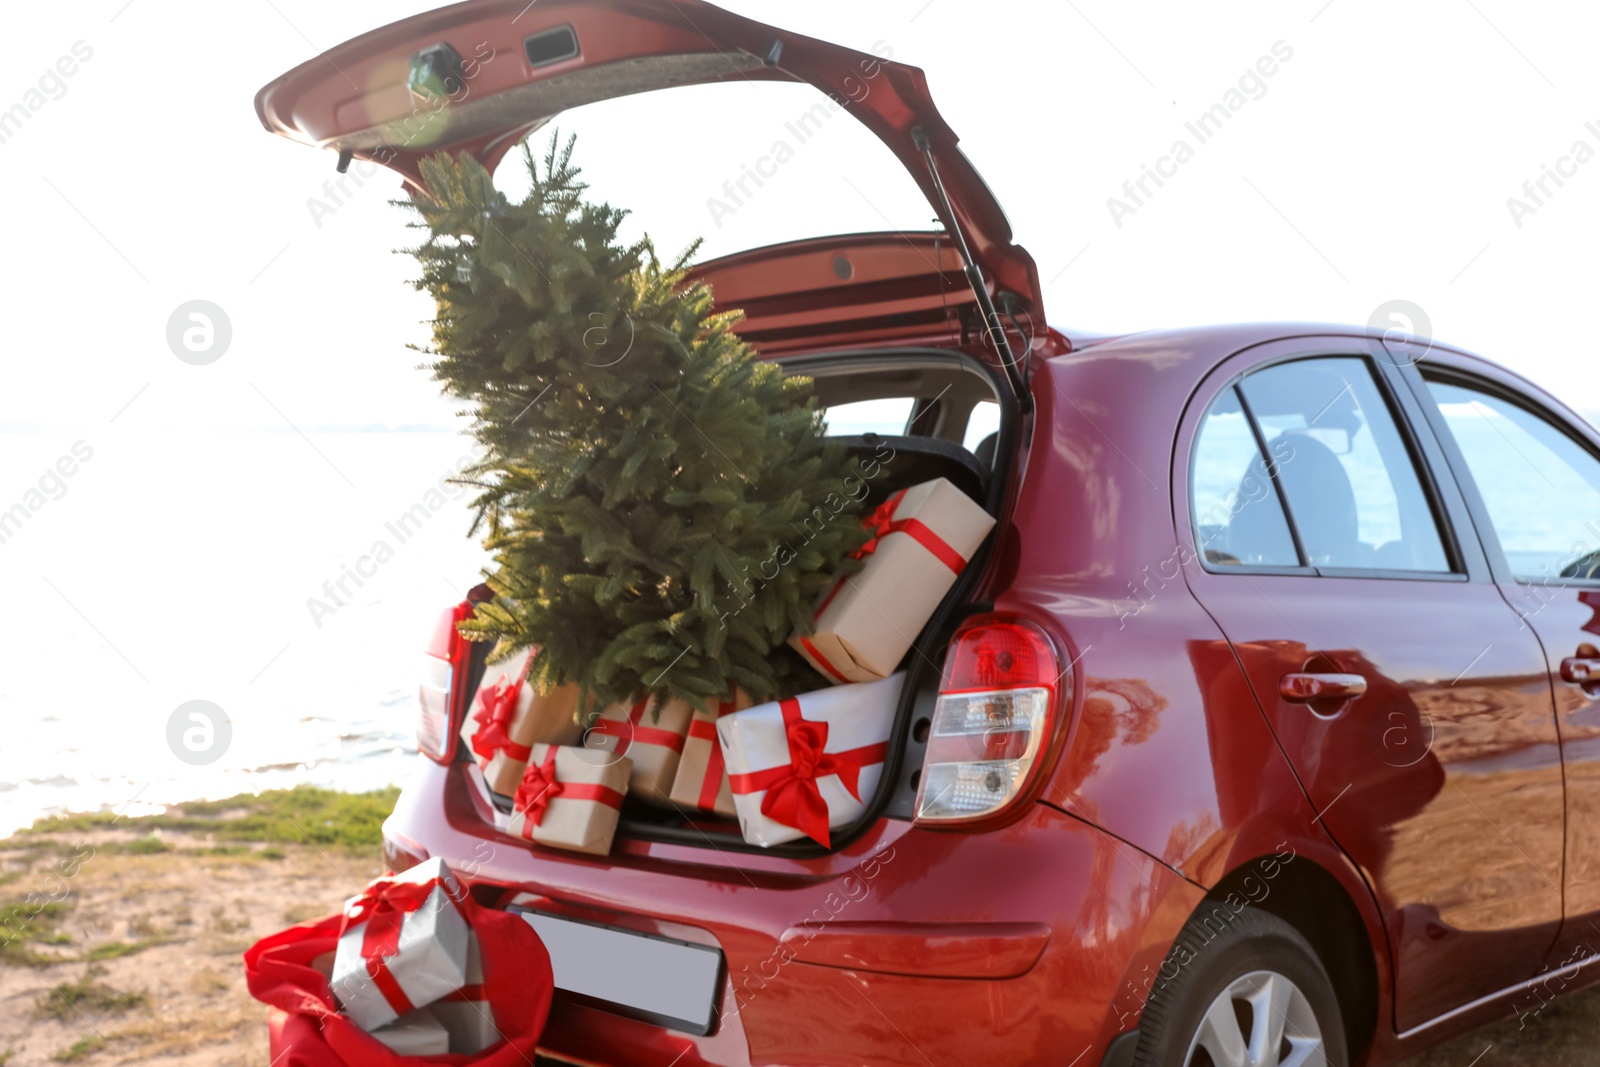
pixel 1345 487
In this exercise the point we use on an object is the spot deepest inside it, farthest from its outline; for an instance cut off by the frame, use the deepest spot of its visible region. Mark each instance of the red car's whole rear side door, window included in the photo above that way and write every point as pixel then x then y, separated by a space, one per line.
pixel 1337 554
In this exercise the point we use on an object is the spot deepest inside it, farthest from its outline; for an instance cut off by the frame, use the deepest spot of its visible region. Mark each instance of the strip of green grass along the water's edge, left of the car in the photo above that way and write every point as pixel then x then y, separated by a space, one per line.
pixel 281 817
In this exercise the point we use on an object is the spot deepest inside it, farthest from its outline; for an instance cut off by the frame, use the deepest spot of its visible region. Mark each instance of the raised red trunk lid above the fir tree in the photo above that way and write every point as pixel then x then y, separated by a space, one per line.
pixel 508 68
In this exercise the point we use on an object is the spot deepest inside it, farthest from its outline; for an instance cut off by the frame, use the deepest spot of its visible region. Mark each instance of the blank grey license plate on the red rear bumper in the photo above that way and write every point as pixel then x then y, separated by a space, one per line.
pixel 670 983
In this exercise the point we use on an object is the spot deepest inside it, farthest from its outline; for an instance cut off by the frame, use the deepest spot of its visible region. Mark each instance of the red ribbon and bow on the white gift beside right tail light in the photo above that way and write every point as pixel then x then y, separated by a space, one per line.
pixel 793 794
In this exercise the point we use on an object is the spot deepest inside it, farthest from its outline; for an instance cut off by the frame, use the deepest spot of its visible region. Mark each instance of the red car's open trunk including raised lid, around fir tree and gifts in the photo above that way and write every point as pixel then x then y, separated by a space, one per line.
pixel 943 321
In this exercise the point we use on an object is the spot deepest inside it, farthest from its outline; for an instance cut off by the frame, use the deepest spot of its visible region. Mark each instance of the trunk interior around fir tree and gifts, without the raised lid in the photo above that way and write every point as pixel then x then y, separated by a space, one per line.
pixel 935 391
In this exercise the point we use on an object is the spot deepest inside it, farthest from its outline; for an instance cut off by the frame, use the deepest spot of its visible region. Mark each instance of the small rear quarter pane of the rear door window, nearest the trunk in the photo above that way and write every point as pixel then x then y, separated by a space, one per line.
pixel 1239 519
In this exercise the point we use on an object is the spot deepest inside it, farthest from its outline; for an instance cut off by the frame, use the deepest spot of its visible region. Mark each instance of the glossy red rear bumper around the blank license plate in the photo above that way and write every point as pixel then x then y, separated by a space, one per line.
pixel 908 948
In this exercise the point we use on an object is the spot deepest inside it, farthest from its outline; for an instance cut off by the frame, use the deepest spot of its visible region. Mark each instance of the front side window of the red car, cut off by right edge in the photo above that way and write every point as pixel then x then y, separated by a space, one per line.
pixel 1542 487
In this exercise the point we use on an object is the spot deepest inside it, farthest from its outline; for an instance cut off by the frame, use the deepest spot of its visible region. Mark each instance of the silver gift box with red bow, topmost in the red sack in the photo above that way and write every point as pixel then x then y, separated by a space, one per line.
pixel 402 946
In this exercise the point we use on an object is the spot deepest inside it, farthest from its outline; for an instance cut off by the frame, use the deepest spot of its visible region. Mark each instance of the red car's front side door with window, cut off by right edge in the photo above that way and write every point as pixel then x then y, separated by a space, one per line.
pixel 1532 478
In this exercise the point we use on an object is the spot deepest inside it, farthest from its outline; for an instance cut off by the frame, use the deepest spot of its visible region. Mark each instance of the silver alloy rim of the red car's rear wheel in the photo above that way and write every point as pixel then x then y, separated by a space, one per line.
pixel 1262 1020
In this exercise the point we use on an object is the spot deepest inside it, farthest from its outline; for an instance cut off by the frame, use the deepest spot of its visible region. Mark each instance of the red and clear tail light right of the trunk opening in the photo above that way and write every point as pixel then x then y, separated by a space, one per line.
pixel 999 709
